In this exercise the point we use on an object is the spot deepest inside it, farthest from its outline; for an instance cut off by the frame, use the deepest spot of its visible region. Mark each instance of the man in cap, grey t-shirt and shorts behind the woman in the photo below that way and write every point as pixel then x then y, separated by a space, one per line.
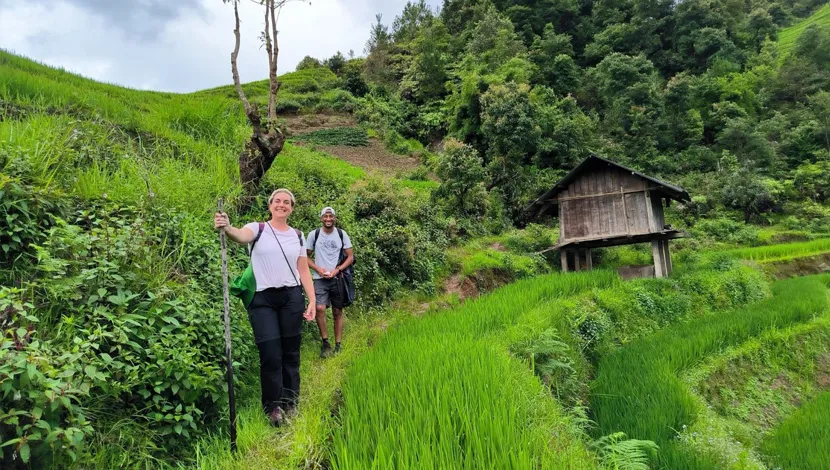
pixel 326 244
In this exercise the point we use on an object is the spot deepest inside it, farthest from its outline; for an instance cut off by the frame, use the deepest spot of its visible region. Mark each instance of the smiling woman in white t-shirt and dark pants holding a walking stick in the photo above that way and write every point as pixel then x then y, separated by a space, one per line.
pixel 277 310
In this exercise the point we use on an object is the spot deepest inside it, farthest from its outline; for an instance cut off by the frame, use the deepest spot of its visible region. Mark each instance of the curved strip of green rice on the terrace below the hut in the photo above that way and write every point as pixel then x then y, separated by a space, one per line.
pixel 637 389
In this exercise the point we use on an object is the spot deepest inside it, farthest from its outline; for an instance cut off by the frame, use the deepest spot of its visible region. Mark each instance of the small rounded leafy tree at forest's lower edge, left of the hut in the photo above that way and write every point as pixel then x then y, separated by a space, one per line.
pixel 462 175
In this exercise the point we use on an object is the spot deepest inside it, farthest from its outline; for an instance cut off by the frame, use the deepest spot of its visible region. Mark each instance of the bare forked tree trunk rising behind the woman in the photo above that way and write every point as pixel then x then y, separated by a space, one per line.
pixel 265 143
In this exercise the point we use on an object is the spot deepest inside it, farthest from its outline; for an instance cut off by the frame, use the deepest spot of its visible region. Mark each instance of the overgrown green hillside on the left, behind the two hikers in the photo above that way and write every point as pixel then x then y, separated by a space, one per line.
pixel 109 266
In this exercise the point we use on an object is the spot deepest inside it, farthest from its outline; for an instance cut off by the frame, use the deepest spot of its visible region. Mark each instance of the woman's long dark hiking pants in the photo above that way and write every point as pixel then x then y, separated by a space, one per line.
pixel 276 316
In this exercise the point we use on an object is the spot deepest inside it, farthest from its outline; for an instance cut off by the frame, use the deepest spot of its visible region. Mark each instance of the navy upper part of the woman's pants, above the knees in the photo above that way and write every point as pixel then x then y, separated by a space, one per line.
pixel 277 313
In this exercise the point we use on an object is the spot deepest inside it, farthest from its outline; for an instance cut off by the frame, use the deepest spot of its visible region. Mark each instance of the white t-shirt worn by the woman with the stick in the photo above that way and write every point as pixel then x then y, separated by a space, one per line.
pixel 270 267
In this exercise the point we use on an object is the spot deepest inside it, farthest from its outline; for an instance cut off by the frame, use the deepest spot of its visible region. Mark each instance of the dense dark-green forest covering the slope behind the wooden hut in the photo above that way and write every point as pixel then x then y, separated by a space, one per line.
pixel 703 92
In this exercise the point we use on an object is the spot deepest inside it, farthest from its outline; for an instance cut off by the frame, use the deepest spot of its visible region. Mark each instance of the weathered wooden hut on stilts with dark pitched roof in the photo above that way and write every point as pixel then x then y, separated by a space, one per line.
pixel 601 203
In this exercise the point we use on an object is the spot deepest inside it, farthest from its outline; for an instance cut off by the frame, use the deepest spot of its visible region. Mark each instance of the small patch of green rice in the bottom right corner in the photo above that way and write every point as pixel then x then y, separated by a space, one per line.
pixel 803 440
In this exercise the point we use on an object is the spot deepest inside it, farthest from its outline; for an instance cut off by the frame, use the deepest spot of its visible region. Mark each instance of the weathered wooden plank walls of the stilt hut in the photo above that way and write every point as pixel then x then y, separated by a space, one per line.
pixel 609 214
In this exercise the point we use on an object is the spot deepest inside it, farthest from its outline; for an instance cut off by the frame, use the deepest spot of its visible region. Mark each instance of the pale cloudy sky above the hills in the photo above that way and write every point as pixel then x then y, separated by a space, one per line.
pixel 180 45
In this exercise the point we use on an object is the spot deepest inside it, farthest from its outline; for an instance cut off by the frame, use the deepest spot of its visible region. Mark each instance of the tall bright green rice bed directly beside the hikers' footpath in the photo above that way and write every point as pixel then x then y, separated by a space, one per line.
pixel 438 394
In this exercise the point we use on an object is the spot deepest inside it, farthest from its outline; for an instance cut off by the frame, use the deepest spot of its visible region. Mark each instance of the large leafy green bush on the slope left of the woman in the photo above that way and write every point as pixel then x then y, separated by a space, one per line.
pixel 111 301
